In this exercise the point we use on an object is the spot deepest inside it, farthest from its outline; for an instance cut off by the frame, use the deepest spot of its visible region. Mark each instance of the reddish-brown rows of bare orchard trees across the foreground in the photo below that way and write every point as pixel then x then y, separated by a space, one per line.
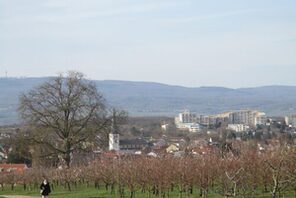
pixel 245 175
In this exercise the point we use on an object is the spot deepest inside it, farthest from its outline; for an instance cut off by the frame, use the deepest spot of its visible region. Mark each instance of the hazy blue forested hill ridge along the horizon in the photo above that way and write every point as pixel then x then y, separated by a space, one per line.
pixel 147 98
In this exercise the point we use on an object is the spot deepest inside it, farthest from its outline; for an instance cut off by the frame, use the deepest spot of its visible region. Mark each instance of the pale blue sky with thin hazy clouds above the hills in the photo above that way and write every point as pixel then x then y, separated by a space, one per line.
pixel 230 43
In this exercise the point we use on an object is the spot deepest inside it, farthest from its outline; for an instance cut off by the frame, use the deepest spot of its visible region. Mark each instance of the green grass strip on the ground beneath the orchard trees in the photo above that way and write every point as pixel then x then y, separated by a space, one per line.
pixel 90 192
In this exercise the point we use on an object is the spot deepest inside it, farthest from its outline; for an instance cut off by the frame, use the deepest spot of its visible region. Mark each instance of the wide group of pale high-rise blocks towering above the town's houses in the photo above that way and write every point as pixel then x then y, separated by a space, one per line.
pixel 237 120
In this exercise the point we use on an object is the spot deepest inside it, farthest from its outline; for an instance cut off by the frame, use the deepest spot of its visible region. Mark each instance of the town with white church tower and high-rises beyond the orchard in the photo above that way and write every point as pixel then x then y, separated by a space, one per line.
pixel 187 133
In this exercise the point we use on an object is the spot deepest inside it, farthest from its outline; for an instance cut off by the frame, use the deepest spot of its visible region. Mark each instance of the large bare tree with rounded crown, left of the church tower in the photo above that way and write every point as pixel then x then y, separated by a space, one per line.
pixel 66 114
